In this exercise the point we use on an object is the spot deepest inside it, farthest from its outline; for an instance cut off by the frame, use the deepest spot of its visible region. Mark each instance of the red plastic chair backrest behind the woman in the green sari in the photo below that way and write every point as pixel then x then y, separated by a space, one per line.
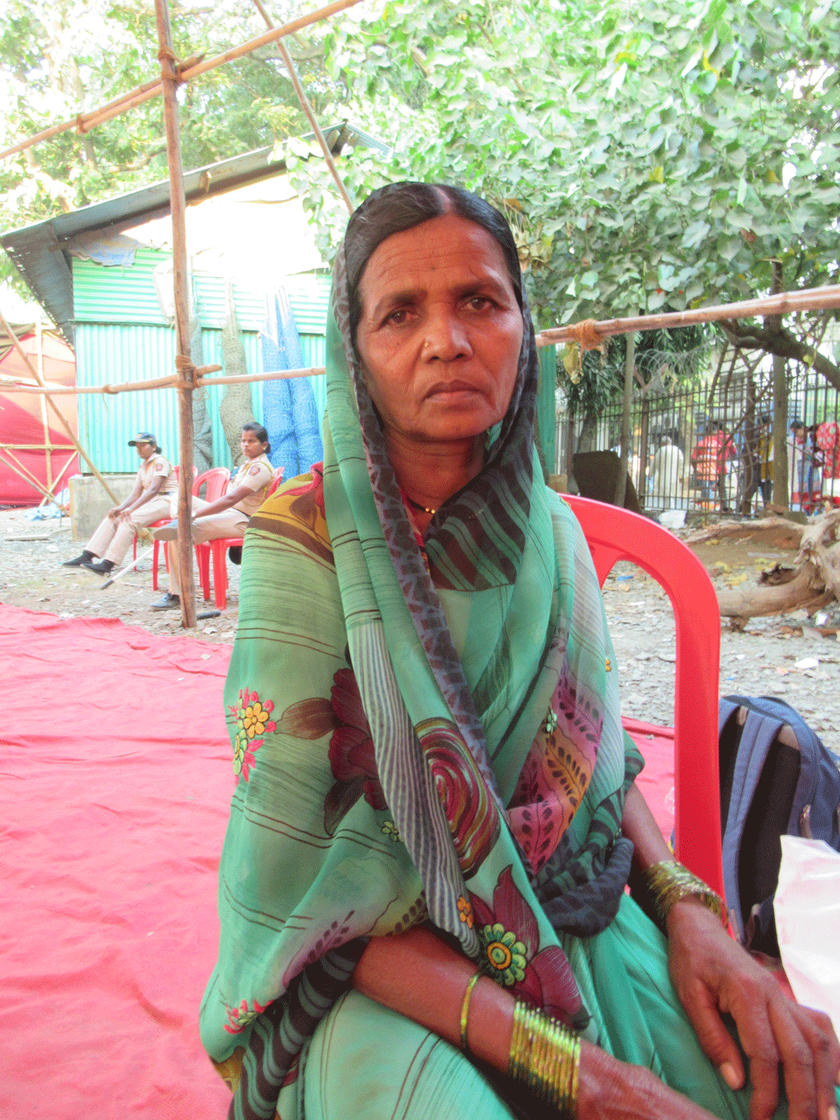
pixel 615 535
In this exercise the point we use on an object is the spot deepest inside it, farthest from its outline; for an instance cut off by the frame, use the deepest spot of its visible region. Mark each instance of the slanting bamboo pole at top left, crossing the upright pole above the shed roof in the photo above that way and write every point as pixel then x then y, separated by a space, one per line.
pixel 180 73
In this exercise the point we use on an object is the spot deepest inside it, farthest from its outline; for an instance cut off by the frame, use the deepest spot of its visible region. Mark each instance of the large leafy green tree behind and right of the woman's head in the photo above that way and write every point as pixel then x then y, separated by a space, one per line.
pixel 650 158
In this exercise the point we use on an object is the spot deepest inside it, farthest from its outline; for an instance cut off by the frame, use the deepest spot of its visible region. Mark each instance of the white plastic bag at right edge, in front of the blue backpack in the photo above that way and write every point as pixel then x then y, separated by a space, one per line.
pixel 807 907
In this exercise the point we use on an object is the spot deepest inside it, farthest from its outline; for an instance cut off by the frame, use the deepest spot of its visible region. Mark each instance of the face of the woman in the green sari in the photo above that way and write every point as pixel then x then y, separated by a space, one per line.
pixel 441 331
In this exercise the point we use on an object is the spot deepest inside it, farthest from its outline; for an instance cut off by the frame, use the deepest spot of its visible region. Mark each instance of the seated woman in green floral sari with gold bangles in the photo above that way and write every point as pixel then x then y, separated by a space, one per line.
pixel 423 885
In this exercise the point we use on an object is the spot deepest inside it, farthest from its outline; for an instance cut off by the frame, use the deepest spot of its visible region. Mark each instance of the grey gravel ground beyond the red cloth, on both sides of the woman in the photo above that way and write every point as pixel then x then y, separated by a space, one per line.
pixel 785 657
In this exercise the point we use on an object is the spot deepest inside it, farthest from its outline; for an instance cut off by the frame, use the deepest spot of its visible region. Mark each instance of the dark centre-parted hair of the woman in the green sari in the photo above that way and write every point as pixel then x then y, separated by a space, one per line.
pixel 402 207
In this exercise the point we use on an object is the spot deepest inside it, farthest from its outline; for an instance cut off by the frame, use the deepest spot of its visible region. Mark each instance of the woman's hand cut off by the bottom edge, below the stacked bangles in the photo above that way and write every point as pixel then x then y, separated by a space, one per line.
pixel 613 1090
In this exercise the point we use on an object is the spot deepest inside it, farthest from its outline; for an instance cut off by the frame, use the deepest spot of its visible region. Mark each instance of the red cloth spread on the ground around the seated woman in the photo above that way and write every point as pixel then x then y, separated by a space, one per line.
pixel 115 787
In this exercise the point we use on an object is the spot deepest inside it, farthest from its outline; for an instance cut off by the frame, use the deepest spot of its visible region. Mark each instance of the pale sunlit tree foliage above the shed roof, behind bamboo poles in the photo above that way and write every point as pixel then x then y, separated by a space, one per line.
pixel 71 57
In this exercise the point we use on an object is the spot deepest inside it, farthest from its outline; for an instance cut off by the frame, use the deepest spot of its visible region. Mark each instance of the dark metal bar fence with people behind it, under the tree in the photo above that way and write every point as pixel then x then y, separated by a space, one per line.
pixel 710 445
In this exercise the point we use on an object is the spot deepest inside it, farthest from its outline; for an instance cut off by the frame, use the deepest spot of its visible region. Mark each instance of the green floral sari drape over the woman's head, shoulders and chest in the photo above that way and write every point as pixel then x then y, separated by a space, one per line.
pixel 424 731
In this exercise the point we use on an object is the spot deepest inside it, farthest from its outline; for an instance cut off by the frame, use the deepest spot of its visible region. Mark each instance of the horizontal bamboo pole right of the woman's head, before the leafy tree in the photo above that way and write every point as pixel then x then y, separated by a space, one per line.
pixel 805 300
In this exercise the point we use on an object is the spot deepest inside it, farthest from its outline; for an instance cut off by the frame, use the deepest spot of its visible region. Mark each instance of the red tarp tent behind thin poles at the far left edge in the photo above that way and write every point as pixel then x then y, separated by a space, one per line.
pixel 23 421
